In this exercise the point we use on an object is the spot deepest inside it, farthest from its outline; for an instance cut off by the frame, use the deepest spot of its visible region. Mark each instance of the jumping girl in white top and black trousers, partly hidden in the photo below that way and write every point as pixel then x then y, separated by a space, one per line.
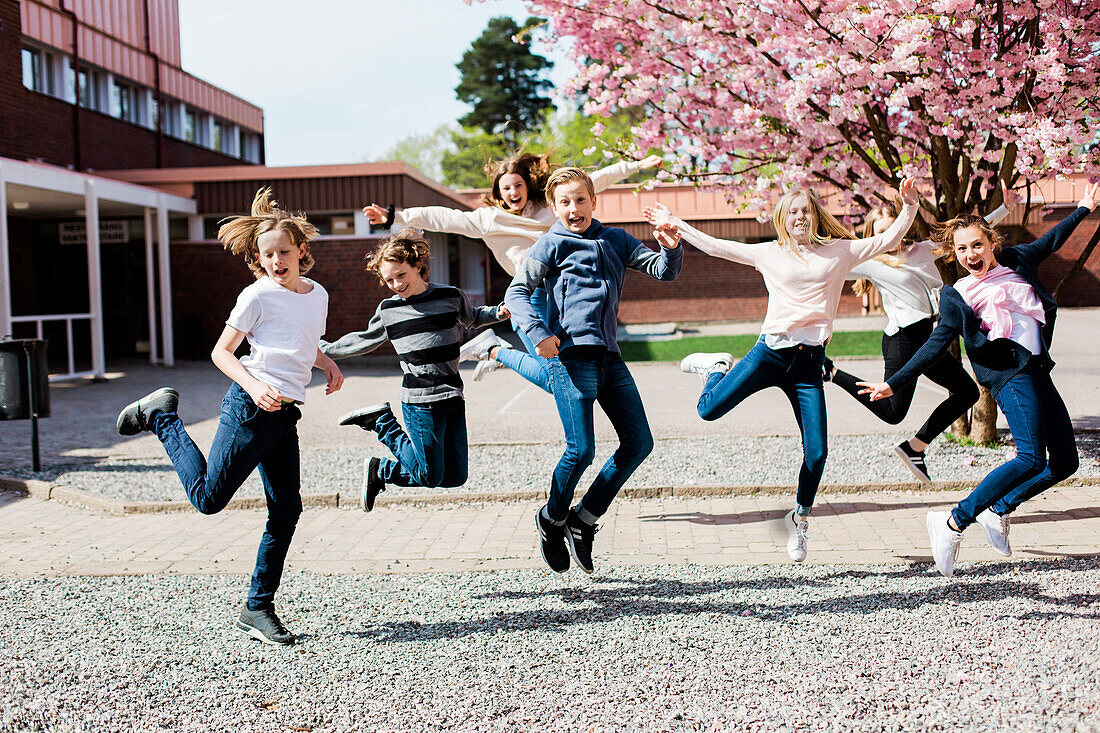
pixel 909 282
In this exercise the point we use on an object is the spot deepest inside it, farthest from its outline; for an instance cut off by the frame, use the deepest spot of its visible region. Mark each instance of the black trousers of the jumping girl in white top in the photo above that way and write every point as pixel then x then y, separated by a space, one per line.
pixel 945 371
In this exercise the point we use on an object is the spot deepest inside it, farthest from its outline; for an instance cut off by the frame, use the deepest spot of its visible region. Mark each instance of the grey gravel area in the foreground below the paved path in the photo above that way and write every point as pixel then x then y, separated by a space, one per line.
pixel 1003 647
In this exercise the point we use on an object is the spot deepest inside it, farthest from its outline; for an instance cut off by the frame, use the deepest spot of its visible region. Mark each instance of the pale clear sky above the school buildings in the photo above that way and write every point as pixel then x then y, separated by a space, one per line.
pixel 342 81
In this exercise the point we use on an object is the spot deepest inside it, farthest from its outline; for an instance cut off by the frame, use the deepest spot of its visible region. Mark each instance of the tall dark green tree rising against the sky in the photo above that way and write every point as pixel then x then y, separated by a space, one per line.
pixel 502 80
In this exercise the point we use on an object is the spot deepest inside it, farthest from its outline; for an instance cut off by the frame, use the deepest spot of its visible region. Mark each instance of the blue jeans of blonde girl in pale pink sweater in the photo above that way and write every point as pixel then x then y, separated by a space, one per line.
pixel 798 373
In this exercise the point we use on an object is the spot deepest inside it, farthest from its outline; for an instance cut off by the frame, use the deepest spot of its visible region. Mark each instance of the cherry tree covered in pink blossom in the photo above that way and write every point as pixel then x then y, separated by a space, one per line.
pixel 762 95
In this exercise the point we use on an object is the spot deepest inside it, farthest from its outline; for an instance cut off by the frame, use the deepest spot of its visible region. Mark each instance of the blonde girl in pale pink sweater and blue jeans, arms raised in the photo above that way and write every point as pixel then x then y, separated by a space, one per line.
pixel 805 271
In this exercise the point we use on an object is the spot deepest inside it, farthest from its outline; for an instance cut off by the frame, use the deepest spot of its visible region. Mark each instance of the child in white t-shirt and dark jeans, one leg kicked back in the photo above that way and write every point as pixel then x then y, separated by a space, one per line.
pixel 283 318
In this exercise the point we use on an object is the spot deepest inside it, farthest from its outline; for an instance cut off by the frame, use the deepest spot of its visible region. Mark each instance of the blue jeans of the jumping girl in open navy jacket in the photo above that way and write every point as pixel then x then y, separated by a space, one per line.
pixel 1047 452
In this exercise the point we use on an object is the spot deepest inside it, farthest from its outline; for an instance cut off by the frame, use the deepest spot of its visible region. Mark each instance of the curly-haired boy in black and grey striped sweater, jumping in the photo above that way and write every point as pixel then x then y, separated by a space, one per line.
pixel 422 321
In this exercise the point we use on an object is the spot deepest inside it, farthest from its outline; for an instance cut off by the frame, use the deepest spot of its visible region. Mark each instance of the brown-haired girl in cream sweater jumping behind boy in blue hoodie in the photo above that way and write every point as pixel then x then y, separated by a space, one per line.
pixel 515 214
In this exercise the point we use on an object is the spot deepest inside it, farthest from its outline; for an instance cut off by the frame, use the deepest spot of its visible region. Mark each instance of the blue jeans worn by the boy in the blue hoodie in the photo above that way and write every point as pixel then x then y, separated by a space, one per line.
pixel 580 377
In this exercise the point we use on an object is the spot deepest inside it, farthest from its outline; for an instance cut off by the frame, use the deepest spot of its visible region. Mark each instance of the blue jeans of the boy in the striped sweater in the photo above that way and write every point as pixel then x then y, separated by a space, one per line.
pixel 434 452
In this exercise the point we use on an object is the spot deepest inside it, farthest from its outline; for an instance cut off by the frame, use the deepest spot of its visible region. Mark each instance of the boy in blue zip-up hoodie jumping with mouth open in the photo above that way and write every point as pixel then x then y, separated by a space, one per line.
pixel 582 266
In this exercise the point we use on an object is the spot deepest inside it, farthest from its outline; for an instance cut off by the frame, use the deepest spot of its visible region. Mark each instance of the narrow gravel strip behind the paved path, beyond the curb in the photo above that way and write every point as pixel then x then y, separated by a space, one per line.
pixel 675 463
